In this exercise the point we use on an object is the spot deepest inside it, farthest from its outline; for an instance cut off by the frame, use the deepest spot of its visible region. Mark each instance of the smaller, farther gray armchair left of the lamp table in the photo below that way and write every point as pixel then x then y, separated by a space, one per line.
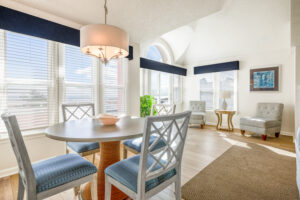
pixel 198 113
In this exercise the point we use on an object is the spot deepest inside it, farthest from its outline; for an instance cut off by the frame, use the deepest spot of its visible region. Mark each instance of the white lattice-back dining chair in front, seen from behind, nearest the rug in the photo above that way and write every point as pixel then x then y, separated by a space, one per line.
pixel 142 176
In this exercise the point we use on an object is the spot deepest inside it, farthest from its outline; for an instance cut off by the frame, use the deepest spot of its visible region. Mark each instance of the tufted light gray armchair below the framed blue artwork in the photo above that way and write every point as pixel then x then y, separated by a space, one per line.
pixel 266 121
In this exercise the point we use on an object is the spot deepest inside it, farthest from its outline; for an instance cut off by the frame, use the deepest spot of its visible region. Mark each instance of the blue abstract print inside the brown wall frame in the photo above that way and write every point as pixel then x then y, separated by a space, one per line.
pixel 264 79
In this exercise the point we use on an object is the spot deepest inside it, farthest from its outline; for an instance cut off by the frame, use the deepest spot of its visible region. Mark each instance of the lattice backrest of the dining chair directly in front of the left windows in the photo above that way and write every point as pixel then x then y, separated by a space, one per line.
pixel 77 111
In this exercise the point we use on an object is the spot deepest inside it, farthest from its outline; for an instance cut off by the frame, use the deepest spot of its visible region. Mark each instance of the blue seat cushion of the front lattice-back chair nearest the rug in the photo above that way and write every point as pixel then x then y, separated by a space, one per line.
pixel 126 172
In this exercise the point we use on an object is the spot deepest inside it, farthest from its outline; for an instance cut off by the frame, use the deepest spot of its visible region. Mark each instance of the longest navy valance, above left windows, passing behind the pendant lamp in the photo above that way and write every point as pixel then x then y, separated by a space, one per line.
pixel 19 22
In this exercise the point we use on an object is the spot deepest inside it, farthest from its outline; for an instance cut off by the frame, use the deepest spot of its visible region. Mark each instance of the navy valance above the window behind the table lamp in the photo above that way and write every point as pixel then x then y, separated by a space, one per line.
pixel 220 67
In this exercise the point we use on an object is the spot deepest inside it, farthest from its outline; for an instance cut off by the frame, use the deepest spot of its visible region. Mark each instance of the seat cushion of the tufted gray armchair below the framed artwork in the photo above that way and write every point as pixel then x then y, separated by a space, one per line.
pixel 259 122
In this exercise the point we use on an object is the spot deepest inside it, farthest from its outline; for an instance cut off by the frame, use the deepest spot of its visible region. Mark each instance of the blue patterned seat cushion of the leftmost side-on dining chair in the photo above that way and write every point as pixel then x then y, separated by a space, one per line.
pixel 60 170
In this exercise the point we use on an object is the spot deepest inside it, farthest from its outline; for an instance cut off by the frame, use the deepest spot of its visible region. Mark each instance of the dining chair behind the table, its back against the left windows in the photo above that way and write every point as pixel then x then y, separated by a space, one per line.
pixel 76 112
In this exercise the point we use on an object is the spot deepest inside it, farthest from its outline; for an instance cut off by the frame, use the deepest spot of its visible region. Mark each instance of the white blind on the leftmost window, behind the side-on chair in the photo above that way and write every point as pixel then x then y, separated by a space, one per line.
pixel 26 69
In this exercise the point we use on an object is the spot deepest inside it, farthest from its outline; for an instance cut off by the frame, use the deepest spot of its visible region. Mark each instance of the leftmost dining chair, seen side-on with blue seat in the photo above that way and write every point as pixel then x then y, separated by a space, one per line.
pixel 48 177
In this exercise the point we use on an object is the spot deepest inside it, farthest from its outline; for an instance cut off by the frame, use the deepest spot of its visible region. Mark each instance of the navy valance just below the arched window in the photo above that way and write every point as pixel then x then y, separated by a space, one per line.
pixel 162 67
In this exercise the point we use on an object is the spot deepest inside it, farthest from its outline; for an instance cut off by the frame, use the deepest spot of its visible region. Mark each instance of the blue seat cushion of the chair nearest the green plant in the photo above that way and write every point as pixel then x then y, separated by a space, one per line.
pixel 136 143
